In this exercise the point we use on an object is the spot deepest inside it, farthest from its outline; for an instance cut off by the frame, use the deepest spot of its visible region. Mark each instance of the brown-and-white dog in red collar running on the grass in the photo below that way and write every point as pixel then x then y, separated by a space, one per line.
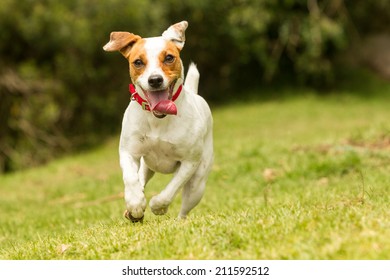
pixel 167 127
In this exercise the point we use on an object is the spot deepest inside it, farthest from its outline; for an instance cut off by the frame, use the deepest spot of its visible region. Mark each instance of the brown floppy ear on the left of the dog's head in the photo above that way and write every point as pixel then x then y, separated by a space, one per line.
pixel 121 41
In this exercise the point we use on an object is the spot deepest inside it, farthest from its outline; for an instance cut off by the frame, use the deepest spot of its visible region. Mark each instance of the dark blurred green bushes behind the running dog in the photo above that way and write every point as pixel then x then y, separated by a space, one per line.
pixel 59 91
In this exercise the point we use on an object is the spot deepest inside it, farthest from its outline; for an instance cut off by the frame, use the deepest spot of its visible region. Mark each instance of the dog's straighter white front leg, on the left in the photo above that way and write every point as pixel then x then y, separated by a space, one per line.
pixel 134 190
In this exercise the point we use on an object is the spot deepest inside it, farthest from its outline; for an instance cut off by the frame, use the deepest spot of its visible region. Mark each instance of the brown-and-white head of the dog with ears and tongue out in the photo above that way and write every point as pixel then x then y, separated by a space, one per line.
pixel 155 65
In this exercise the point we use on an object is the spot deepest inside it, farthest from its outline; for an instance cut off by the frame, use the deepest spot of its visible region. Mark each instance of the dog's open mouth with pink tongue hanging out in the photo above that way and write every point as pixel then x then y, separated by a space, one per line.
pixel 160 101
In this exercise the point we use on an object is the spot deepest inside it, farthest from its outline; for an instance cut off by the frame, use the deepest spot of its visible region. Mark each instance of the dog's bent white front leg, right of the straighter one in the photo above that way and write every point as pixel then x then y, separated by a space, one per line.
pixel 159 204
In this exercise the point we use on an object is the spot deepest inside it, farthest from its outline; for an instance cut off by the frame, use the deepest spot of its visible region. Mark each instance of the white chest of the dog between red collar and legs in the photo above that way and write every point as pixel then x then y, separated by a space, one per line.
pixel 163 144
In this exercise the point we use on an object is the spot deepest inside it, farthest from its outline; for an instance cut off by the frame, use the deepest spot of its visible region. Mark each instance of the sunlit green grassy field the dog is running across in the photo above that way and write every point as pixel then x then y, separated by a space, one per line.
pixel 294 178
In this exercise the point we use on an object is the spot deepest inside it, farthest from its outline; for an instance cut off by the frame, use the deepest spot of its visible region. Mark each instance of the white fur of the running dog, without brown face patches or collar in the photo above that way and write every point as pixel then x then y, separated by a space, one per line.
pixel 181 144
